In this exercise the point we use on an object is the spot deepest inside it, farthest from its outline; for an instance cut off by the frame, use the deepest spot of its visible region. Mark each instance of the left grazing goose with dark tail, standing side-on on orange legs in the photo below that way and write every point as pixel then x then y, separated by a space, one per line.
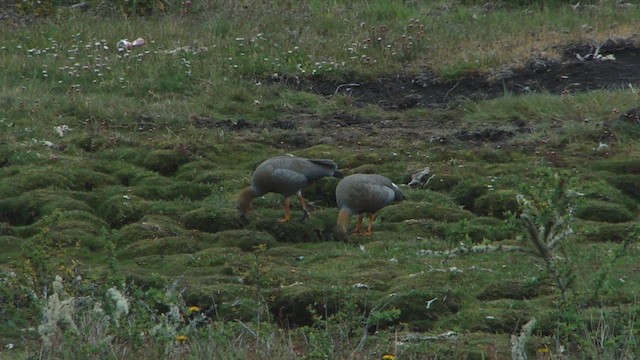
pixel 285 175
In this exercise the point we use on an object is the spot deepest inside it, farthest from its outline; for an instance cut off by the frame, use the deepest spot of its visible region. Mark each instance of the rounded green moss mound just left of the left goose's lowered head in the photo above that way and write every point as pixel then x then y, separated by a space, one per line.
pixel 212 219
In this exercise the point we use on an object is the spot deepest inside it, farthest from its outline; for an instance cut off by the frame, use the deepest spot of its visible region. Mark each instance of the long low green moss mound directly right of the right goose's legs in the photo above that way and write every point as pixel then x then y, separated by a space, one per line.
pixel 407 210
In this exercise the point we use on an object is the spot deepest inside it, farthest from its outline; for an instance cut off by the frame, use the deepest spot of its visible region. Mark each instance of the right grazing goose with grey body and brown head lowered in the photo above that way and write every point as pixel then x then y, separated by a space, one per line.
pixel 363 194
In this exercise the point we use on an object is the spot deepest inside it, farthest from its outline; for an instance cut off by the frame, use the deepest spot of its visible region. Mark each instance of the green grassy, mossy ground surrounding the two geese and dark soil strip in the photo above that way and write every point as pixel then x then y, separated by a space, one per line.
pixel 120 171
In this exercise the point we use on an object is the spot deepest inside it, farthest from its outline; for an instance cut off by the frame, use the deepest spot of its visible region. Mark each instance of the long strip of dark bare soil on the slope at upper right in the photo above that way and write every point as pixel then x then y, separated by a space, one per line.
pixel 614 64
